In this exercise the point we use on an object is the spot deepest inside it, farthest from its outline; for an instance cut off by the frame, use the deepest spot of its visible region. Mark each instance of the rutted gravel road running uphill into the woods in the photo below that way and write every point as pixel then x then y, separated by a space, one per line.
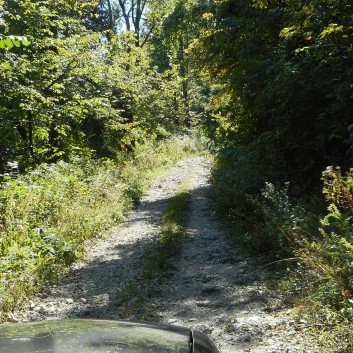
pixel 214 287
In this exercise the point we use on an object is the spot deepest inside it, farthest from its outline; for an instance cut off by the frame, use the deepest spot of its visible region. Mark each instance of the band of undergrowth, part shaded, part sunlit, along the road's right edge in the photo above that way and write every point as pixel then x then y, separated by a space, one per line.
pixel 313 246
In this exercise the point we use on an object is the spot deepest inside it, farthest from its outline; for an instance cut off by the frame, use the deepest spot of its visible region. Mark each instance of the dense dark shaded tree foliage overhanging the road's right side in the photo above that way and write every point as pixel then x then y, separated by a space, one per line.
pixel 282 68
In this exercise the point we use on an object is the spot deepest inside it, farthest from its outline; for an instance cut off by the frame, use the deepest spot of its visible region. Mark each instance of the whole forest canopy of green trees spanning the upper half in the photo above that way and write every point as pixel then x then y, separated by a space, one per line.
pixel 271 76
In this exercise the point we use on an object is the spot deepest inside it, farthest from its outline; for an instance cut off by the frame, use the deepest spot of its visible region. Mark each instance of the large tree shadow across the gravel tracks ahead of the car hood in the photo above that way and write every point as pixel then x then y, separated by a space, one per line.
pixel 111 286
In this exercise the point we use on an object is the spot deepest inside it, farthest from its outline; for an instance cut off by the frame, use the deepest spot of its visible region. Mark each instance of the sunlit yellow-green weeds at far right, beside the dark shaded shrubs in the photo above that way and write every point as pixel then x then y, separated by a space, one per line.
pixel 330 257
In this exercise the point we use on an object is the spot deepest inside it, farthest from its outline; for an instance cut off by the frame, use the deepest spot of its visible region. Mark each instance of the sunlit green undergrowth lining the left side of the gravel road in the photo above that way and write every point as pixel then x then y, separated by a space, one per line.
pixel 47 214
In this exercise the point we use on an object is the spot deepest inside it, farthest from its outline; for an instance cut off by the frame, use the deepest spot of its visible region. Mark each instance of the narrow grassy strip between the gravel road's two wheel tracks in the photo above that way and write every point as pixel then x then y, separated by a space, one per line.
pixel 173 232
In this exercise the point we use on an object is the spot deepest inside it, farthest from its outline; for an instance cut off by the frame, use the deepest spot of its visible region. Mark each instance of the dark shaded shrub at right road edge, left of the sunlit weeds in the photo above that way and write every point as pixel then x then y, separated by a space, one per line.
pixel 266 220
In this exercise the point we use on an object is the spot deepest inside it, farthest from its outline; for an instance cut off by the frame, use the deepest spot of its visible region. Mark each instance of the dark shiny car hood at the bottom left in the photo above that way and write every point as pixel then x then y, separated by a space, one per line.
pixel 100 336
